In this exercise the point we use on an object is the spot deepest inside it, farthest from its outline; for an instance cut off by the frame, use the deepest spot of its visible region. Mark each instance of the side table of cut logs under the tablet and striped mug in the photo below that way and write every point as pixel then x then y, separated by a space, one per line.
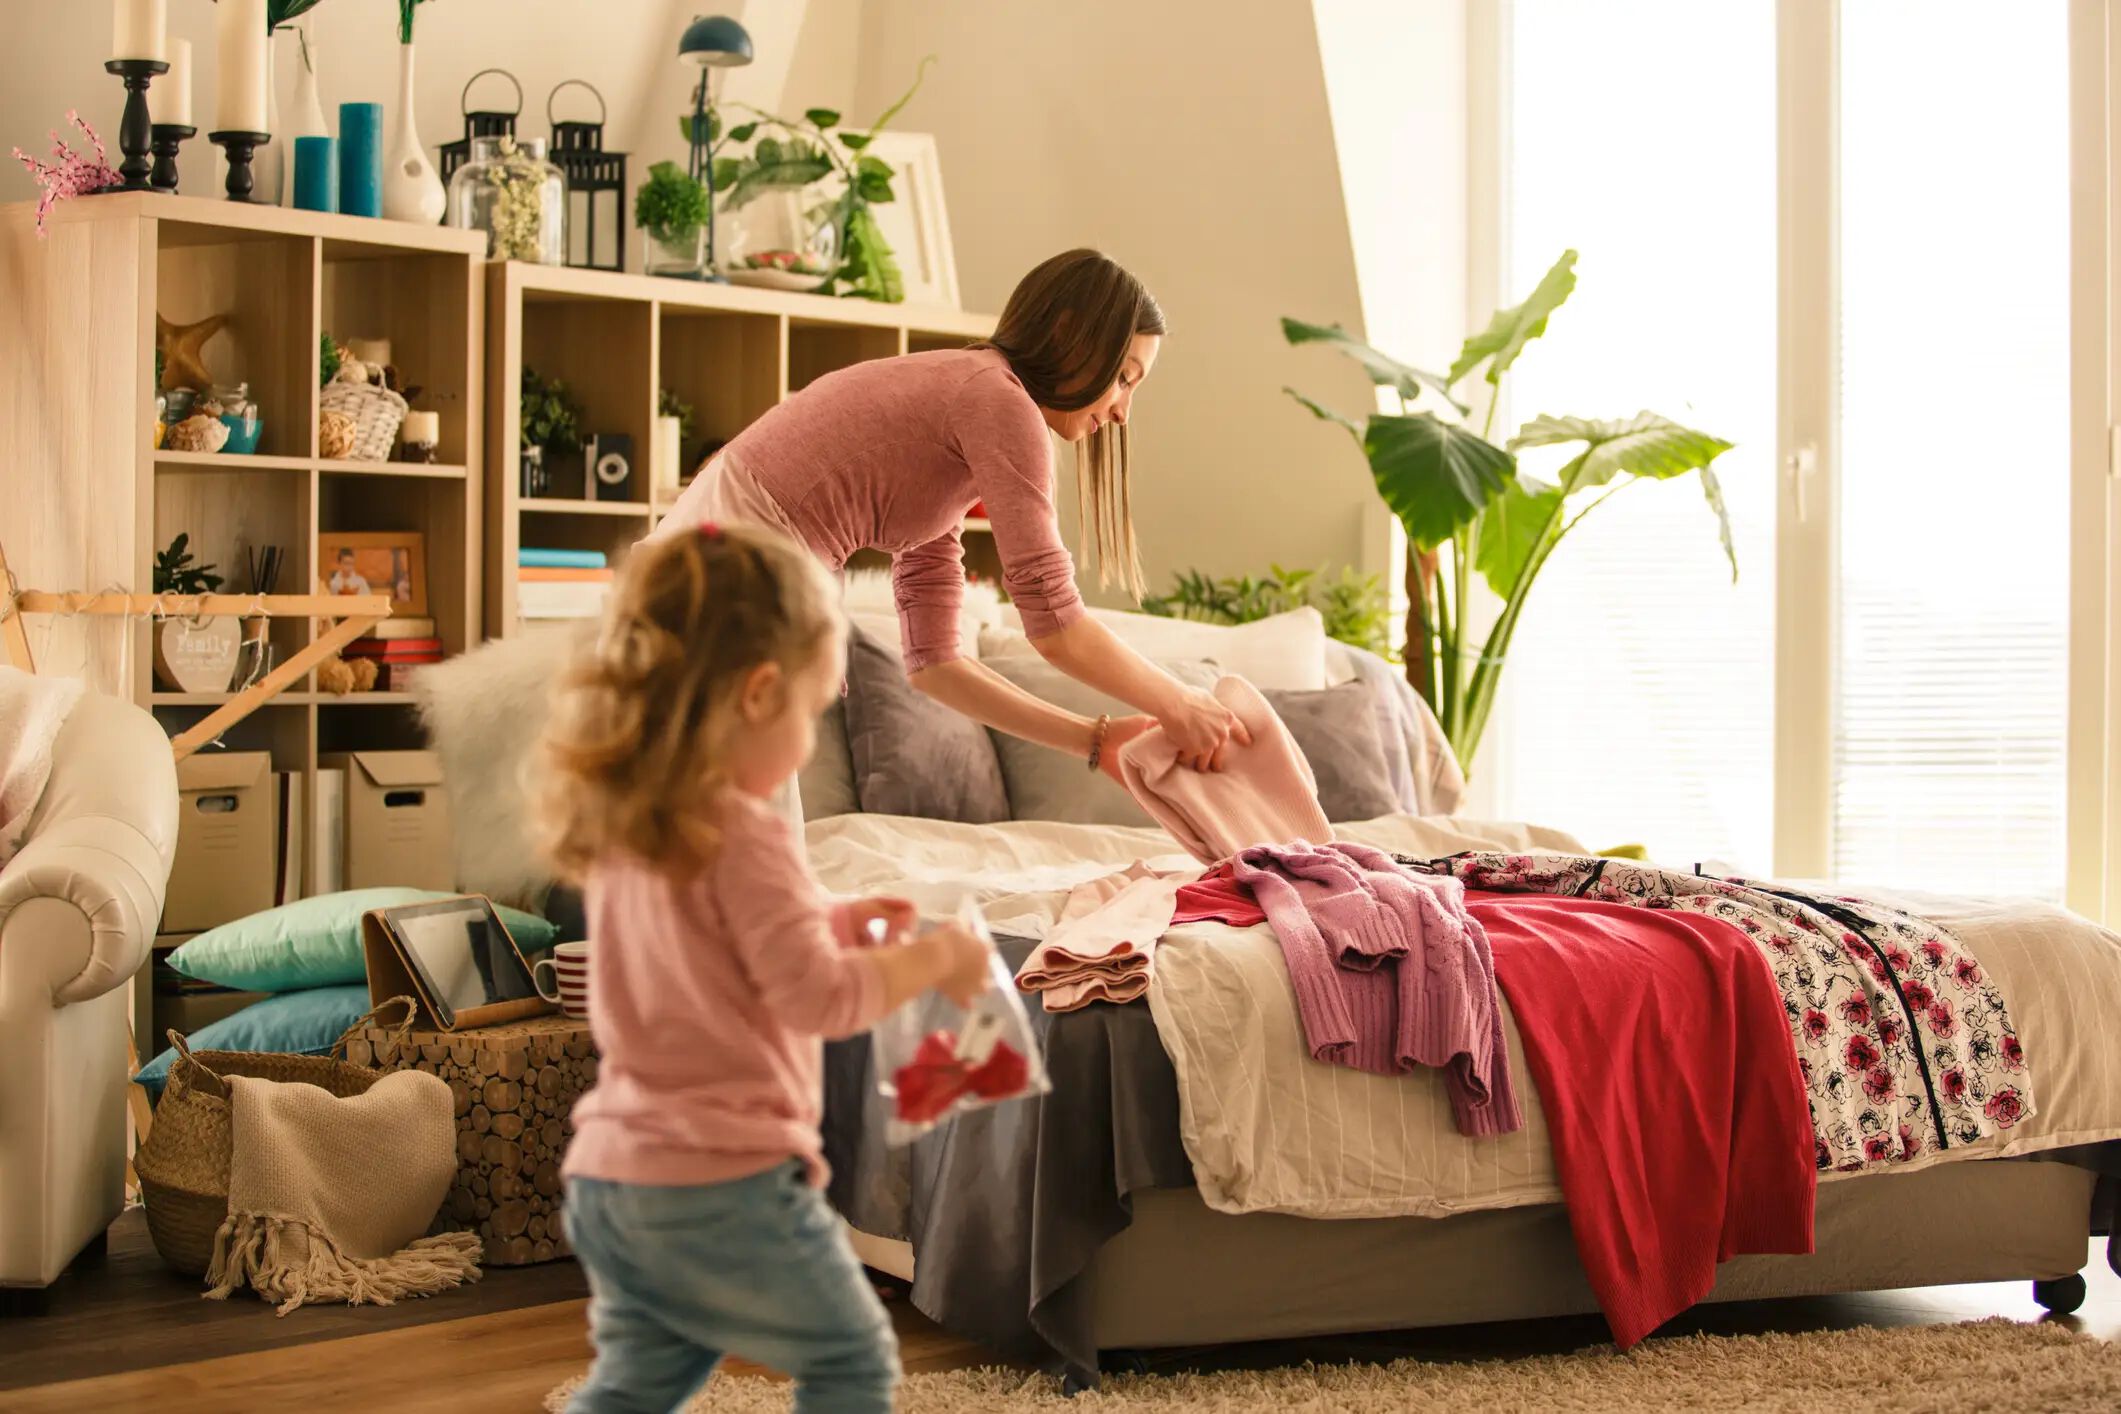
pixel 514 1091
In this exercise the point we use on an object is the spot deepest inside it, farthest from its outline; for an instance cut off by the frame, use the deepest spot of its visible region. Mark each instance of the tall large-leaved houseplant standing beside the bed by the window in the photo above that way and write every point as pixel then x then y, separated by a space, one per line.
pixel 1469 508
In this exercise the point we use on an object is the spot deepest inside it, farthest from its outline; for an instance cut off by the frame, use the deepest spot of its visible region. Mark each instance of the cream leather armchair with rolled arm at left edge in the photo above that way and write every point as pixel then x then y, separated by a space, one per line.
pixel 77 917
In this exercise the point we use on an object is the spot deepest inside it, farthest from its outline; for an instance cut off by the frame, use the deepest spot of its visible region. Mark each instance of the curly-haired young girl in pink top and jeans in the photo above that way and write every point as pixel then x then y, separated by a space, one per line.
pixel 716 968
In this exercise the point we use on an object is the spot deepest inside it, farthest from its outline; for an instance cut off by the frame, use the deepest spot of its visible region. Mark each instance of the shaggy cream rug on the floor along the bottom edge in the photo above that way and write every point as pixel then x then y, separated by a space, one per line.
pixel 1978 1366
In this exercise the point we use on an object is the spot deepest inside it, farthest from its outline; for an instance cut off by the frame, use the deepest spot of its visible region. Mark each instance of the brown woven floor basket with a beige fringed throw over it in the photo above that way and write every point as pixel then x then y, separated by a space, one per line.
pixel 183 1163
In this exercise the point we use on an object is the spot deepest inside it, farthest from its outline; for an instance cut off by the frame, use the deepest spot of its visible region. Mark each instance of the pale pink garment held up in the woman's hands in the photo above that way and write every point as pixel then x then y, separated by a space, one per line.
pixel 1263 796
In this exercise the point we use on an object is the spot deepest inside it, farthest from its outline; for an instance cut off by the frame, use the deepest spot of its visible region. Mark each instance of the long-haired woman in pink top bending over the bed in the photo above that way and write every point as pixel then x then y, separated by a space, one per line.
pixel 894 453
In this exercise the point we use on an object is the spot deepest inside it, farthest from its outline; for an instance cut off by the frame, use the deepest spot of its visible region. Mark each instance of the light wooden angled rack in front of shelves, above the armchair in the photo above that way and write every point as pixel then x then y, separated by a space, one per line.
pixel 355 618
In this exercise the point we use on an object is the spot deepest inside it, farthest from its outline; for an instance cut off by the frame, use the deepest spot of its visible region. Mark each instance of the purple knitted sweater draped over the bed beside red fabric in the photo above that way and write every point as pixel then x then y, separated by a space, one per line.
pixel 1390 972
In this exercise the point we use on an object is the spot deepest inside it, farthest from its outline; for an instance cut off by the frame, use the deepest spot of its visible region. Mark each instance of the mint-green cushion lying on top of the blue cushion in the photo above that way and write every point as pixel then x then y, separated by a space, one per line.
pixel 315 944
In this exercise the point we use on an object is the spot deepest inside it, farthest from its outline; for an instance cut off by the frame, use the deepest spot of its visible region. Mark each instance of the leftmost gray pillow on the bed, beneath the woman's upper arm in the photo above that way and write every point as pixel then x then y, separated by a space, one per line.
pixel 913 756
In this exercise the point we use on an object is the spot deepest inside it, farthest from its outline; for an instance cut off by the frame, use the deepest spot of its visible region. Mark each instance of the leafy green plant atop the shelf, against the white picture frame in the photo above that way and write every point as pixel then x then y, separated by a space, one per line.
pixel 792 156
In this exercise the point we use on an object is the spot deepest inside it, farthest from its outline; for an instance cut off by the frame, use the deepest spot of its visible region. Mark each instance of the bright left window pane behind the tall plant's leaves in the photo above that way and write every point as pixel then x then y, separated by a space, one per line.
pixel 1638 703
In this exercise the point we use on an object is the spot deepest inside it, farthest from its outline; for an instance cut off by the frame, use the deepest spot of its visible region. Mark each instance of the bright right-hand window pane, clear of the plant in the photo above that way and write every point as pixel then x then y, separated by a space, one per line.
pixel 1952 660
